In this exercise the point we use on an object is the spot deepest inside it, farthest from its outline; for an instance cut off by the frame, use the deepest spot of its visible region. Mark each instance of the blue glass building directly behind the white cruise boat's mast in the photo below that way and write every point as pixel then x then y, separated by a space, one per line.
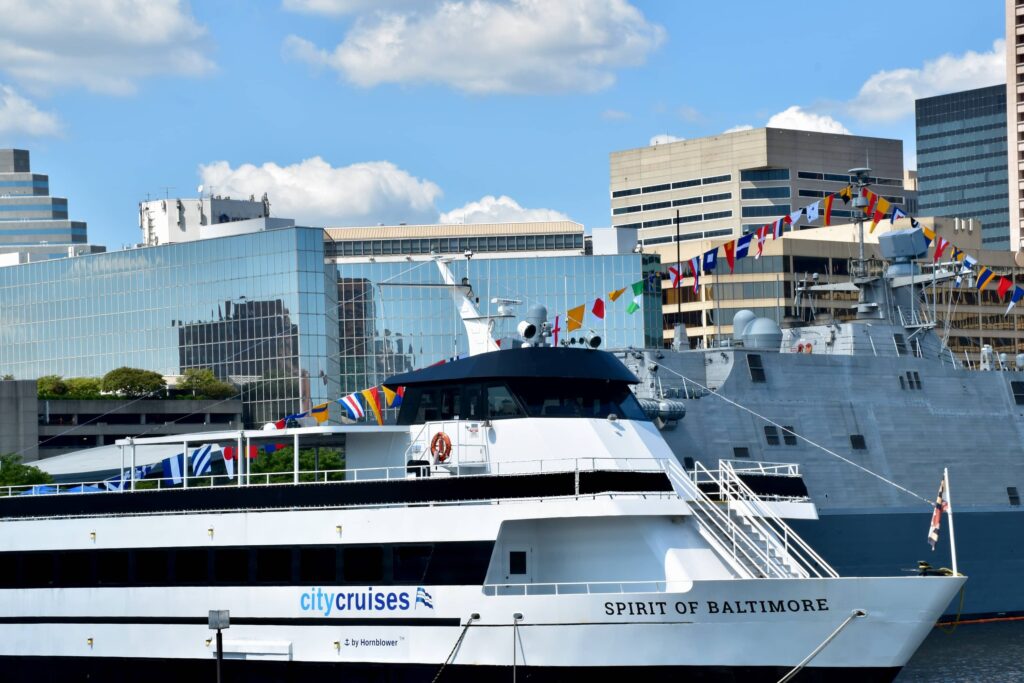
pixel 398 316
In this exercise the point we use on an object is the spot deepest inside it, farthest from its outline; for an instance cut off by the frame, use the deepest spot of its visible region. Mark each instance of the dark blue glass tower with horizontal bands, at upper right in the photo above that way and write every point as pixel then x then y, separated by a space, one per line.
pixel 962 151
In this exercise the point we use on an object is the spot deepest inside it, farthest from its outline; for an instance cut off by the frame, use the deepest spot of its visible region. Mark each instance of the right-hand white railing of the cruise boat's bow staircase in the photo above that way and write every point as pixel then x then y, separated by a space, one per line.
pixel 767 524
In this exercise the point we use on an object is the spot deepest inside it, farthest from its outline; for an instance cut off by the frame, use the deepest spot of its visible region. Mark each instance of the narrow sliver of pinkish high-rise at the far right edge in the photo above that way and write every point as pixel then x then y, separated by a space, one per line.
pixel 1015 118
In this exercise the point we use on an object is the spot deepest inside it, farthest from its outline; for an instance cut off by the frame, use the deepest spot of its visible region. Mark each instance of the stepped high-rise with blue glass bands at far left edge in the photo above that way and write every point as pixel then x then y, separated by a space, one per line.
pixel 29 216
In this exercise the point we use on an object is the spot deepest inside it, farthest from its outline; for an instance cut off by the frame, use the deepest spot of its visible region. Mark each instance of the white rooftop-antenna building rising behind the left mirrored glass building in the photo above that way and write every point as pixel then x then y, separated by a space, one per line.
pixel 176 221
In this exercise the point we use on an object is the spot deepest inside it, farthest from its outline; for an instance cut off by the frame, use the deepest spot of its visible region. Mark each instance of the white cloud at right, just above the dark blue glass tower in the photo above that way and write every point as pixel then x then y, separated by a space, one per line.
pixel 889 95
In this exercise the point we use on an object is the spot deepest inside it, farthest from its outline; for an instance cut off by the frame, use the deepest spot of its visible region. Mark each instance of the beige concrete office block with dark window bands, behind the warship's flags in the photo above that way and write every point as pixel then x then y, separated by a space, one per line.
pixel 736 183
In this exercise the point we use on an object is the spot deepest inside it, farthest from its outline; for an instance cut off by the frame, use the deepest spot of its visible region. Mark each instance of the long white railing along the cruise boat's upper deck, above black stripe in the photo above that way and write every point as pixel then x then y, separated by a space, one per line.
pixel 405 472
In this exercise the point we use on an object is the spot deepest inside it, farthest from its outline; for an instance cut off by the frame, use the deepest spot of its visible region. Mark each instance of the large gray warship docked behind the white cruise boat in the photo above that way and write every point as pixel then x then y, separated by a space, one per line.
pixel 865 407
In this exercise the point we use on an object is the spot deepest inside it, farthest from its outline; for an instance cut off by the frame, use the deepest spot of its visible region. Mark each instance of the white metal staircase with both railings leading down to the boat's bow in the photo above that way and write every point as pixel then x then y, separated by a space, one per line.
pixel 745 531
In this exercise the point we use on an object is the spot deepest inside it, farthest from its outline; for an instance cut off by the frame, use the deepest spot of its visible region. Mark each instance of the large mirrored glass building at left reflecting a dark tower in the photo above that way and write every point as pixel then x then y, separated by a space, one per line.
pixel 260 310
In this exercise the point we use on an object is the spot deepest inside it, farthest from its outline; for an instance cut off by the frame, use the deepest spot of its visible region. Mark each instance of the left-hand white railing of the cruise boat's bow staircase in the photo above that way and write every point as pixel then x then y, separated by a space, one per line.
pixel 748 559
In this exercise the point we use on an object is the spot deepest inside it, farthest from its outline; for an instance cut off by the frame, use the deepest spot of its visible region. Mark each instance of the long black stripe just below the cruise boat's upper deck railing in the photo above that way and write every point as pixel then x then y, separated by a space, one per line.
pixel 402 492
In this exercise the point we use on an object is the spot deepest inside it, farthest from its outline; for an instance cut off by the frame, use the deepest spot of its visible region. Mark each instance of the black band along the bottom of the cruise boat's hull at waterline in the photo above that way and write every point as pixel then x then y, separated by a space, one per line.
pixel 94 670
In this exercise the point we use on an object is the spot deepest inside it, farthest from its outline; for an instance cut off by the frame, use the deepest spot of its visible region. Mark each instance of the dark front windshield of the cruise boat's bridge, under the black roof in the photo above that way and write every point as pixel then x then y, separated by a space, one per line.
pixel 545 399
